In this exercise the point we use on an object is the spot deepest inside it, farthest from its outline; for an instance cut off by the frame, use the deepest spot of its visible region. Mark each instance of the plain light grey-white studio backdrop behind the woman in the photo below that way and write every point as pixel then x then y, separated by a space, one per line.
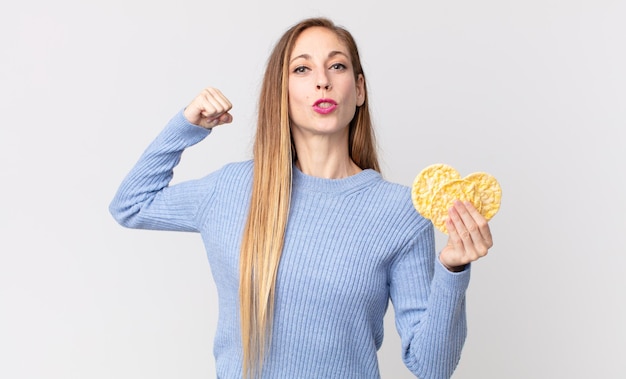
pixel 533 92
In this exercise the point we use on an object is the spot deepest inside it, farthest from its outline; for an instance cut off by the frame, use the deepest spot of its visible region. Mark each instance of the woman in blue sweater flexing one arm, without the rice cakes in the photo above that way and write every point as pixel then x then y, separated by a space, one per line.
pixel 306 242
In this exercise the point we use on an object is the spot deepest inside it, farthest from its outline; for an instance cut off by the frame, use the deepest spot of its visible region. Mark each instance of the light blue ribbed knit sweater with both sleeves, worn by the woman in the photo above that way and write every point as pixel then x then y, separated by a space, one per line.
pixel 351 245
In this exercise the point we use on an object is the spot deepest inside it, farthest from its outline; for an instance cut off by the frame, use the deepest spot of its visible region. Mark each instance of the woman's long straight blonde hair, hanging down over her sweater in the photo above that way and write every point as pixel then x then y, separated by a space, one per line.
pixel 274 155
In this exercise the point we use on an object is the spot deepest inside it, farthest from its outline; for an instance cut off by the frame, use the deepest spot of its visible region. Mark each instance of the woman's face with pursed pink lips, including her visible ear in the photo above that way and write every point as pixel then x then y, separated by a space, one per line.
pixel 323 92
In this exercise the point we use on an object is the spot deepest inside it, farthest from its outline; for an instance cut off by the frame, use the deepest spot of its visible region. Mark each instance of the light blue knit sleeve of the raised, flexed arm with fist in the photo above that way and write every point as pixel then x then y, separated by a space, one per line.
pixel 145 200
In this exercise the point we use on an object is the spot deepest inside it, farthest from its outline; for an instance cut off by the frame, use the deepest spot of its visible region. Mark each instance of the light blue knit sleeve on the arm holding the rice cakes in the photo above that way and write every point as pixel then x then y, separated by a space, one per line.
pixel 429 305
